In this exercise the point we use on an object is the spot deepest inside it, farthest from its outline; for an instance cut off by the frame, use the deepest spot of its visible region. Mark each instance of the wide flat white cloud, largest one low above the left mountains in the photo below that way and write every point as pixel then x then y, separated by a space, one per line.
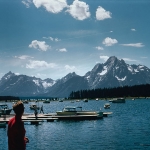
pixel 35 64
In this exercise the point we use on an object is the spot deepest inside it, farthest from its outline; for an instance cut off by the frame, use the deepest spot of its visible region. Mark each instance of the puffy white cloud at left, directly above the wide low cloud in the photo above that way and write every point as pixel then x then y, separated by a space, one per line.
pixel 40 45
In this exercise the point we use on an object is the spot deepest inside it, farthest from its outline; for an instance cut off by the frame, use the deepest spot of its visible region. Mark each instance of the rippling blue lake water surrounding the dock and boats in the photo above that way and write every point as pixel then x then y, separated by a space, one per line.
pixel 128 128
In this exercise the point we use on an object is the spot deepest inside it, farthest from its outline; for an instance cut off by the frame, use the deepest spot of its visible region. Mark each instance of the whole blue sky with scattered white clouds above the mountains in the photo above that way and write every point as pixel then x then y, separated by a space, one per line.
pixel 51 38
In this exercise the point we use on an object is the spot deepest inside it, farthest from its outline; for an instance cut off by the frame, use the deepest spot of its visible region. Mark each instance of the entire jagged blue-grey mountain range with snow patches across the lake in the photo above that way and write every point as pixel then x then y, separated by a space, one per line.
pixel 113 73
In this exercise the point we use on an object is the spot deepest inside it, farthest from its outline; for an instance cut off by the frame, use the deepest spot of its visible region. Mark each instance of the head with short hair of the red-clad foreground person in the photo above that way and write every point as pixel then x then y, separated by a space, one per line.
pixel 18 108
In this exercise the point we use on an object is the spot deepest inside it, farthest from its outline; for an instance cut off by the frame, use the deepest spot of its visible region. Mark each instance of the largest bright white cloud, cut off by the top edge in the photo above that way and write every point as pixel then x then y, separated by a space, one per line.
pixel 53 6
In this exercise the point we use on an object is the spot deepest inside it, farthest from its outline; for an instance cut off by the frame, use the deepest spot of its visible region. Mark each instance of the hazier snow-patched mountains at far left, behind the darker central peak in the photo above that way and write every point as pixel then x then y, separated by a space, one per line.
pixel 22 85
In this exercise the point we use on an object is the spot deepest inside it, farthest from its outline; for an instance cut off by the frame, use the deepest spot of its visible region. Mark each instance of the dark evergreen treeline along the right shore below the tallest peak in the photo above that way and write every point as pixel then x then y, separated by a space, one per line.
pixel 126 91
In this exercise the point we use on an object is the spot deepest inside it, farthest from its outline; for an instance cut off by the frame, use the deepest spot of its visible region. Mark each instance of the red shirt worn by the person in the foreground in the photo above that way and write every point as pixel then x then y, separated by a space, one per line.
pixel 16 134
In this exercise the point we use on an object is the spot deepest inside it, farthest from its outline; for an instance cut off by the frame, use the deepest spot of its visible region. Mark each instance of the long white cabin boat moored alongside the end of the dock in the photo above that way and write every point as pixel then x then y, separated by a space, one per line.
pixel 69 110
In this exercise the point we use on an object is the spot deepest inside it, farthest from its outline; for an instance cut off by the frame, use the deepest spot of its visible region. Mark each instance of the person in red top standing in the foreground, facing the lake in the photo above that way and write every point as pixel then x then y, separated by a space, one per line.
pixel 16 131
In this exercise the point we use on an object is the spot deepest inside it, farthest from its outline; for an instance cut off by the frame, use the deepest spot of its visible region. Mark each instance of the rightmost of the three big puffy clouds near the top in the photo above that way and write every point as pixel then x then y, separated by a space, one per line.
pixel 102 14
